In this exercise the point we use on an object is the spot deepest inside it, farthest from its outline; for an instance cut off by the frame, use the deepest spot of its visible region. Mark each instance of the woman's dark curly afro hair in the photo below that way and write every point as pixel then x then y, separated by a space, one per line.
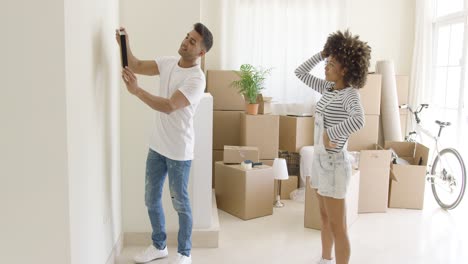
pixel 352 53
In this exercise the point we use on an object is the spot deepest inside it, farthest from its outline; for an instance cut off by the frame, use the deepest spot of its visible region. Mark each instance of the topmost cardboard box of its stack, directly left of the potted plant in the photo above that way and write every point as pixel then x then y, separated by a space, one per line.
pixel 225 97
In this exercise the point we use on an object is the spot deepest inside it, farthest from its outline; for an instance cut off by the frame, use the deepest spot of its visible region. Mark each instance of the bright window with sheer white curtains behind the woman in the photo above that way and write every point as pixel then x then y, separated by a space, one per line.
pixel 280 34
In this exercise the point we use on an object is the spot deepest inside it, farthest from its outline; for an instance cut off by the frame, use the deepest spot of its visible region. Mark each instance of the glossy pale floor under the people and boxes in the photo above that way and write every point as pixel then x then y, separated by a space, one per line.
pixel 399 236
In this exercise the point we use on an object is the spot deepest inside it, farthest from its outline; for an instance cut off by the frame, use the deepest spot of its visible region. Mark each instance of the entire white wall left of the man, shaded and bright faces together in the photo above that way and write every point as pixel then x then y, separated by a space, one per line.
pixel 59 163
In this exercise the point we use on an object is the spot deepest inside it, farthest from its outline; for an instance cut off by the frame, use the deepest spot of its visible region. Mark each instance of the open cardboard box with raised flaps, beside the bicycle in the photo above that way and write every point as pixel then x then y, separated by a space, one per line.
pixel 408 181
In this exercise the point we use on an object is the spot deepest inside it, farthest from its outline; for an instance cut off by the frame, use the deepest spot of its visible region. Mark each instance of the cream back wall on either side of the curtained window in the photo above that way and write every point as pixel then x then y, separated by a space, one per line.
pixel 387 25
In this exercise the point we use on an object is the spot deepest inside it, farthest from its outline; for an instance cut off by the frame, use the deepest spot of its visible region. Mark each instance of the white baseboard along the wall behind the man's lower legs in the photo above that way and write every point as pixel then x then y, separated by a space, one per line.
pixel 201 238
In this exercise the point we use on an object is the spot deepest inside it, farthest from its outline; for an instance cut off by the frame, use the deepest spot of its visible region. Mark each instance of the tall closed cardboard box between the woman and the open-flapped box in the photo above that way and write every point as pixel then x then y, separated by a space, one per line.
pixel 375 174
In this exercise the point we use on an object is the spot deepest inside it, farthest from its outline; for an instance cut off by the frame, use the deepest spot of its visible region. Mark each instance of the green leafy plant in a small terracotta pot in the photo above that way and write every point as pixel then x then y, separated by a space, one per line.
pixel 250 85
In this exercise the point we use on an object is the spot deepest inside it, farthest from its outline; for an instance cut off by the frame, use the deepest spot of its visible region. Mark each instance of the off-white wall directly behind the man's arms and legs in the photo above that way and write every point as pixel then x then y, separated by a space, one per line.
pixel 156 28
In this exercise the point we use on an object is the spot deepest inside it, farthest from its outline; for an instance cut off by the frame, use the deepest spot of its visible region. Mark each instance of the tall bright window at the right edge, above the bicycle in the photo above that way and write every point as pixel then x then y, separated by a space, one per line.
pixel 449 65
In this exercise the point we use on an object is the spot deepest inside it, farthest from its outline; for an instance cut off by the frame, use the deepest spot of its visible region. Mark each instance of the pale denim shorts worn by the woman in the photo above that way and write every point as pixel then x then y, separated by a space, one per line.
pixel 331 174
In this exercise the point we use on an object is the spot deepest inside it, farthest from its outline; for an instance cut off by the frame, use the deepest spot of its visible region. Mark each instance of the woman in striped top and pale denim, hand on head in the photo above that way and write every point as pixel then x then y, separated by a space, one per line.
pixel 338 114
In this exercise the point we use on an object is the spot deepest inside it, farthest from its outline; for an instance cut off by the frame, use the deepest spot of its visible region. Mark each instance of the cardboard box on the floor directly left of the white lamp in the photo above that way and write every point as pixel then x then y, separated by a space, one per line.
pixel 244 193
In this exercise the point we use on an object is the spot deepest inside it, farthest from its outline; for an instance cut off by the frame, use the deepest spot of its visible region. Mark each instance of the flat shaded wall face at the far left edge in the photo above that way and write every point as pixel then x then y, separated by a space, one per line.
pixel 34 222
